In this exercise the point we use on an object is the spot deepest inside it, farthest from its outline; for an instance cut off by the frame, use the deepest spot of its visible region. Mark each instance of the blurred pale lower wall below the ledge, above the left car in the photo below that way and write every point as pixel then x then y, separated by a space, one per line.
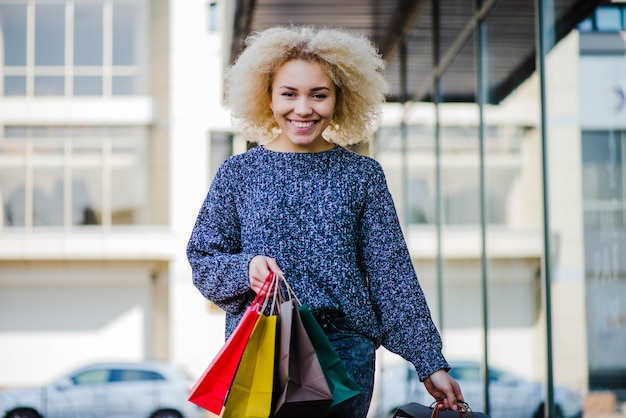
pixel 54 317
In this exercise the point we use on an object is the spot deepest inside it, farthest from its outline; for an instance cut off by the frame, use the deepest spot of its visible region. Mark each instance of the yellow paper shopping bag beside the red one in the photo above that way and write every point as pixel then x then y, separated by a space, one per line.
pixel 250 395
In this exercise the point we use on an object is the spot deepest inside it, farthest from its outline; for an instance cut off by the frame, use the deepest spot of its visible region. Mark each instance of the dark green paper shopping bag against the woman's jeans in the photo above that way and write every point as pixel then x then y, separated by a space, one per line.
pixel 341 384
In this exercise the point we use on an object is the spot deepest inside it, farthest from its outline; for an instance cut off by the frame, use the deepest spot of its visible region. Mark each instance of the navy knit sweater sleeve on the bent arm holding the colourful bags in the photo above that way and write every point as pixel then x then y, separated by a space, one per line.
pixel 219 268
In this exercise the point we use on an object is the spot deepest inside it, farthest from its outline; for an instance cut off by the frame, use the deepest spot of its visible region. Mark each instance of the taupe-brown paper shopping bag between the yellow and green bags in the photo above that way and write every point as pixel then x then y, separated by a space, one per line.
pixel 301 387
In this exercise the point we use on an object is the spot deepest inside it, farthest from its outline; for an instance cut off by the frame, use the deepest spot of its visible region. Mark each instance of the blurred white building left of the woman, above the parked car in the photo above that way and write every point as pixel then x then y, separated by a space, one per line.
pixel 110 113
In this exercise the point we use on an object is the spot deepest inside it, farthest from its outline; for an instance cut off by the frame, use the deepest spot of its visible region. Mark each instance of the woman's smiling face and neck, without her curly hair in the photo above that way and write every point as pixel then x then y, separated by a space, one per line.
pixel 303 102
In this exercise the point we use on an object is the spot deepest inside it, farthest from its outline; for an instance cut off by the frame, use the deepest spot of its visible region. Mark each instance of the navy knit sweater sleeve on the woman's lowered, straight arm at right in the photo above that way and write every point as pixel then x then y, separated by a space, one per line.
pixel 398 300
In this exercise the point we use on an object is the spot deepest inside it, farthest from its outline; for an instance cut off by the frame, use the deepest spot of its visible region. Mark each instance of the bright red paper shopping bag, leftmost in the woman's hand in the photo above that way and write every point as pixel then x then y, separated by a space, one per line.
pixel 210 390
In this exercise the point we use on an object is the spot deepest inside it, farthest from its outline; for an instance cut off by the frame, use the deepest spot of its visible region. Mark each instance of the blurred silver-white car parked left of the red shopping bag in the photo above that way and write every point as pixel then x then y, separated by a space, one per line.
pixel 147 389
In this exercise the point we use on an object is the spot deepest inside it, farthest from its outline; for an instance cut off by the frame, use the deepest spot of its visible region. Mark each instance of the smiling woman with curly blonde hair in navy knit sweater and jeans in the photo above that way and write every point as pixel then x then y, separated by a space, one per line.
pixel 302 205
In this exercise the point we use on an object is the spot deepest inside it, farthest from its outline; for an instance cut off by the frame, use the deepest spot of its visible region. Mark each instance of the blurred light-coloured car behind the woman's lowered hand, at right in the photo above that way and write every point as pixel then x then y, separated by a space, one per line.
pixel 510 396
